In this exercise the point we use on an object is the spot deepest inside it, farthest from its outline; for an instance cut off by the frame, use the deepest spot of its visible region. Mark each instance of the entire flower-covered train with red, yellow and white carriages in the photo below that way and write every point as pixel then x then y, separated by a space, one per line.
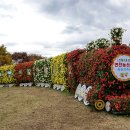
pixel 98 75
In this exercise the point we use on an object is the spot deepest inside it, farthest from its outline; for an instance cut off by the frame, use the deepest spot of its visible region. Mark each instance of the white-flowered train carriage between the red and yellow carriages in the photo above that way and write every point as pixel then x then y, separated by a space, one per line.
pixel 41 72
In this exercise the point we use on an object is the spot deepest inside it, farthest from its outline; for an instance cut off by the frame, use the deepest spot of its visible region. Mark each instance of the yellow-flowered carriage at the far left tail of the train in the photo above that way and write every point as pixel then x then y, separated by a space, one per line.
pixel 7 75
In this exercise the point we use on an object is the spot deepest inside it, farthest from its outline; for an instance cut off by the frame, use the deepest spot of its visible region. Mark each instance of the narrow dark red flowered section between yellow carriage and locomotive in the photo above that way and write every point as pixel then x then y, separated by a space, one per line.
pixel 72 58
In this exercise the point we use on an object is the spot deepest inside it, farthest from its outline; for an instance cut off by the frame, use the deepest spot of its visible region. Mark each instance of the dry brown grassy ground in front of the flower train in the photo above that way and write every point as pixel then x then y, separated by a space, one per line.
pixel 47 109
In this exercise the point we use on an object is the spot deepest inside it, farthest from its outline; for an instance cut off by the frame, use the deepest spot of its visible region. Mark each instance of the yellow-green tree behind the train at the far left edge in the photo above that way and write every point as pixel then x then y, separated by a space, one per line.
pixel 5 56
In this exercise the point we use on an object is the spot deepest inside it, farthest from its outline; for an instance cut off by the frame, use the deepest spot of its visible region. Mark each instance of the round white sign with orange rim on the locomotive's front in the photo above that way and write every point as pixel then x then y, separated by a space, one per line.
pixel 121 67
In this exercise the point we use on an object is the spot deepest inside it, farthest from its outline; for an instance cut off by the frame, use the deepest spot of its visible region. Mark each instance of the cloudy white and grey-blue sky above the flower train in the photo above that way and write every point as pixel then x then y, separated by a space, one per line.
pixel 52 27
